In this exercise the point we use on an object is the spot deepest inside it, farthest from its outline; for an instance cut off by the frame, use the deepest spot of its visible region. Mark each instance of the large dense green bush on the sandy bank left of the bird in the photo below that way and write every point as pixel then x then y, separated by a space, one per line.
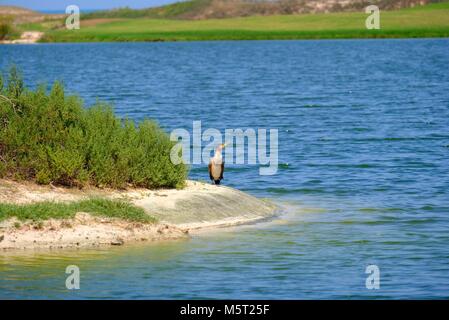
pixel 50 137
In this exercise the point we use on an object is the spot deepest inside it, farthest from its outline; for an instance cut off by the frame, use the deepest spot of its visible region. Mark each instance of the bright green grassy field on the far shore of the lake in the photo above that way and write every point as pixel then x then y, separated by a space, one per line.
pixel 426 21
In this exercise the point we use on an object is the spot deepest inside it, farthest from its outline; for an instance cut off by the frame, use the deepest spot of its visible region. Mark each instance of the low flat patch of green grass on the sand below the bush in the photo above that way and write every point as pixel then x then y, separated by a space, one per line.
pixel 57 210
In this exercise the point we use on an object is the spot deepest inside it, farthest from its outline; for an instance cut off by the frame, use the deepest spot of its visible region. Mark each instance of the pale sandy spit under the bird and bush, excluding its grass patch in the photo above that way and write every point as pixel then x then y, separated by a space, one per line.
pixel 198 206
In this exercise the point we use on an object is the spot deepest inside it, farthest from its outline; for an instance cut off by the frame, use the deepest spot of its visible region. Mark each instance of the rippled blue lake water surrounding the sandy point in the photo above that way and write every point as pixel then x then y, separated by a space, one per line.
pixel 364 170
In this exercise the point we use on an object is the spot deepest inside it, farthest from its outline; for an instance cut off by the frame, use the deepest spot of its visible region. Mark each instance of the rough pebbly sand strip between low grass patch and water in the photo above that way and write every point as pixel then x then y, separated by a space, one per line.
pixel 82 231
